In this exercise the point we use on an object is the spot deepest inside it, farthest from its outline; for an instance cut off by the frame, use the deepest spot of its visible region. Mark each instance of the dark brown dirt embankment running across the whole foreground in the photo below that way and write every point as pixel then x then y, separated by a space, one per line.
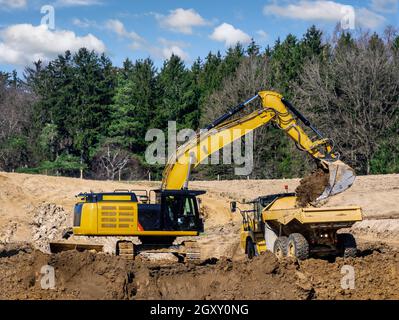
pixel 99 276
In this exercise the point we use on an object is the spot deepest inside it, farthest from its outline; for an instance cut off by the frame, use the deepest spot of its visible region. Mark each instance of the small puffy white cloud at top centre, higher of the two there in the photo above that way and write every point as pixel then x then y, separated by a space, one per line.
pixel 181 20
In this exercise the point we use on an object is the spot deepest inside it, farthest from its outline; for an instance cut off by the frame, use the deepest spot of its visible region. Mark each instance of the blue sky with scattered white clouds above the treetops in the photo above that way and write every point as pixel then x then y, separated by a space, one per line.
pixel 156 28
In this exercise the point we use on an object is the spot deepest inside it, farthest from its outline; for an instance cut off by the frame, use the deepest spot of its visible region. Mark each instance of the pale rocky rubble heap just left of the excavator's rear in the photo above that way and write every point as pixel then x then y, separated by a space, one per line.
pixel 49 221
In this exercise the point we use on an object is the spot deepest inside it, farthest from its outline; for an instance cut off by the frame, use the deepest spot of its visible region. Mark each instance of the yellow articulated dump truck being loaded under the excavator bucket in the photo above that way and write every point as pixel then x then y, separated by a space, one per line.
pixel 275 223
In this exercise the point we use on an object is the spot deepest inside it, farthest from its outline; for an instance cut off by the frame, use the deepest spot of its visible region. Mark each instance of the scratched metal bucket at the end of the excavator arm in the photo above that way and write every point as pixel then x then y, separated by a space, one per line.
pixel 341 178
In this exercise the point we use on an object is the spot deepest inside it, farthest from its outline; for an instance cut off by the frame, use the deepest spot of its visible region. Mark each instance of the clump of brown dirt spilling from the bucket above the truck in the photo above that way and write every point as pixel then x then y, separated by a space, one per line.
pixel 311 187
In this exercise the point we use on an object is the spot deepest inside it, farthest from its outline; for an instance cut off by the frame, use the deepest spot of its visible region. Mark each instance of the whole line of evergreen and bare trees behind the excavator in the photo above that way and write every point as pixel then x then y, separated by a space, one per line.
pixel 80 112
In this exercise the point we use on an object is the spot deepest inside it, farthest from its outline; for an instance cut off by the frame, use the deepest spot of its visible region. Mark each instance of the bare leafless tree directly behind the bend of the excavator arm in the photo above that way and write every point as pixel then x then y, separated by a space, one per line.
pixel 253 75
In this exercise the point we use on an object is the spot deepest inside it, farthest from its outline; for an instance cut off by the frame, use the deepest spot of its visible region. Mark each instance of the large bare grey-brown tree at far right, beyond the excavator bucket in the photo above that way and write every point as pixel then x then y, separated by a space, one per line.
pixel 354 97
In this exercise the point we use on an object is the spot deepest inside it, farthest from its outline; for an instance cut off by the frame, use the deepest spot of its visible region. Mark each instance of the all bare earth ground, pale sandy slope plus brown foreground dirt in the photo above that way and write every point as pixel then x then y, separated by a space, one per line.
pixel 34 208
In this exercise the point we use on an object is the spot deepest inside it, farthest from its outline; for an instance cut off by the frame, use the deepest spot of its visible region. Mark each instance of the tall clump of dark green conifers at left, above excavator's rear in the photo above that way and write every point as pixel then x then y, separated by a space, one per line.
pixel 75 92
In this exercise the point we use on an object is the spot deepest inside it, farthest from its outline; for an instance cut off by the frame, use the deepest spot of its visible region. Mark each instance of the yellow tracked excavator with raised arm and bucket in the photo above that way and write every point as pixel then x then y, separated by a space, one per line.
pixel 157 218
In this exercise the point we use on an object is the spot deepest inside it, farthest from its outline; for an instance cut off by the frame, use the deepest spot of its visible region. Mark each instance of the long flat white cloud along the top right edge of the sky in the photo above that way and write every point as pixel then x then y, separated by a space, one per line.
pixel 321 10
